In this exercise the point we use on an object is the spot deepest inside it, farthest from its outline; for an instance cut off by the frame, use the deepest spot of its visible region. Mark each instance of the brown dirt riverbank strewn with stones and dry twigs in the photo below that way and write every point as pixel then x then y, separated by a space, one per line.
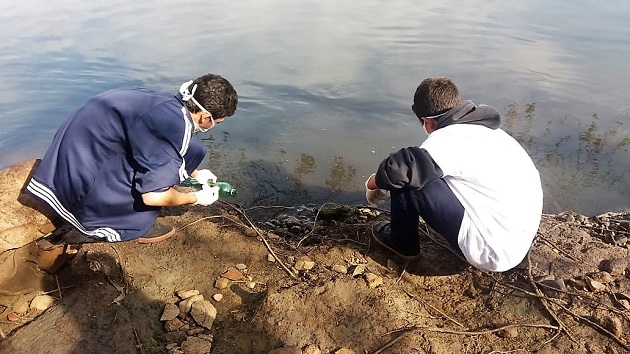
pixel 308 280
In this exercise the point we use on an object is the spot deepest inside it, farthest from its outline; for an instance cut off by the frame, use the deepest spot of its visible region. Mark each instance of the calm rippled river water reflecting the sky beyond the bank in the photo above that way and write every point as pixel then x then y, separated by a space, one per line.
pixel 325 87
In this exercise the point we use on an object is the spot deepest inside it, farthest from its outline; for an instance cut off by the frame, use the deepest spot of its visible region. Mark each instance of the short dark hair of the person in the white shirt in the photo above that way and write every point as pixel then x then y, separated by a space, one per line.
pixel 434 96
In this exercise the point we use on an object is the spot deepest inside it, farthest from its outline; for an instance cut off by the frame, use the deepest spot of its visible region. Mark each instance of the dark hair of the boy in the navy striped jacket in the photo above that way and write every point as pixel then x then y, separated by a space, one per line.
pixel 215 94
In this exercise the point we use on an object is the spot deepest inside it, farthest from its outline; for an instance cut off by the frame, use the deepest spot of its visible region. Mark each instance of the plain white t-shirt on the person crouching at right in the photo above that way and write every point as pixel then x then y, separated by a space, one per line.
pixel 498 185
